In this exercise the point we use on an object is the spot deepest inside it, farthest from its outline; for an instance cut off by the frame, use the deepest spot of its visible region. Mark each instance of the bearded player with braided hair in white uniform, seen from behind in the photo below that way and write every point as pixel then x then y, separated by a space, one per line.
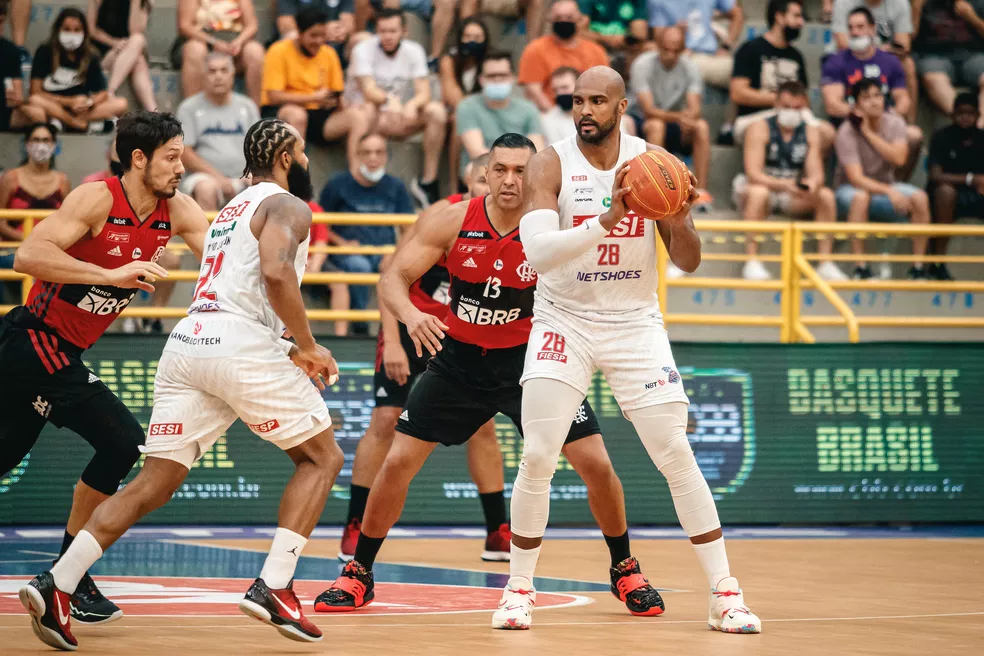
pixel 227 360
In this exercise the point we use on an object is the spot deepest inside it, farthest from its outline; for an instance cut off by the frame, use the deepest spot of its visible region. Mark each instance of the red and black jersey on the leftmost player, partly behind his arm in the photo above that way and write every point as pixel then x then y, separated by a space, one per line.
pixel 82 313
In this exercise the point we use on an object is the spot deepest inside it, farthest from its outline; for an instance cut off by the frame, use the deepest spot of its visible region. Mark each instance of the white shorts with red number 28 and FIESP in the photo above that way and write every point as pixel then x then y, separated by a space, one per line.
pixel 634 356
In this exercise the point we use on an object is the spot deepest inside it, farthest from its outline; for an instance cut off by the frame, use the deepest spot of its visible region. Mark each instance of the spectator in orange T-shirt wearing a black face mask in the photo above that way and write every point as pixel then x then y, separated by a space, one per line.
pixel 563 47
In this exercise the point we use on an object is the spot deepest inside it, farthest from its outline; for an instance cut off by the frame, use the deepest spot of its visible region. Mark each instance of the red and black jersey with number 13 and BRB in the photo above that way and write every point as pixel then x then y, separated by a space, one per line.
pixel 492 284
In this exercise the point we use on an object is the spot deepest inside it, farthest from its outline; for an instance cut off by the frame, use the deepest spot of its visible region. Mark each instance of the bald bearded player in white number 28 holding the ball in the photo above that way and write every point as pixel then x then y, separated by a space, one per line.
pixel 596 307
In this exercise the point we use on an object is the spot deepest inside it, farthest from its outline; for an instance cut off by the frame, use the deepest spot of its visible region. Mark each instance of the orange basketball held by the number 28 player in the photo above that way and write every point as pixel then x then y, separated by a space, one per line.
pixel 660 185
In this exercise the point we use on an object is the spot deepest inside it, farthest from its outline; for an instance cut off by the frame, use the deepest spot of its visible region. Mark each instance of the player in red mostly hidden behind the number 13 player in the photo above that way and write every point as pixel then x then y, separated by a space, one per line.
pixel 397 369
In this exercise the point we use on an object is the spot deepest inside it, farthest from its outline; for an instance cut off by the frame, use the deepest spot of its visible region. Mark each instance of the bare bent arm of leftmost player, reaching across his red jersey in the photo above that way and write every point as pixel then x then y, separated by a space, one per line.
pixel 84 211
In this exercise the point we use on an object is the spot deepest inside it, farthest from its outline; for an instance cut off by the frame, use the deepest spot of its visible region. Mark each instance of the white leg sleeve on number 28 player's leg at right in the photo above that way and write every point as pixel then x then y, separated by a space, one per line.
pixel 663 431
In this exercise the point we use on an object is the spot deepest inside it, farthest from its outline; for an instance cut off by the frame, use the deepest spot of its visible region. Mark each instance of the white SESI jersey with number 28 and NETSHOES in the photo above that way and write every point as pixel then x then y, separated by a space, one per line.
pixel 620 274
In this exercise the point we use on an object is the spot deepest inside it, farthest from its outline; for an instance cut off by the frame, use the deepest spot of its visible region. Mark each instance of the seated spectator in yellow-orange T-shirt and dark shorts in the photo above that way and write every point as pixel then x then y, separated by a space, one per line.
pixel 303 82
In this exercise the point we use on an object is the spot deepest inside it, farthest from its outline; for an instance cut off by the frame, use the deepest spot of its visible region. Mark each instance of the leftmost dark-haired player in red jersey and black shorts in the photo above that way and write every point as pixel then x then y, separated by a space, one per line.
pixel 90 257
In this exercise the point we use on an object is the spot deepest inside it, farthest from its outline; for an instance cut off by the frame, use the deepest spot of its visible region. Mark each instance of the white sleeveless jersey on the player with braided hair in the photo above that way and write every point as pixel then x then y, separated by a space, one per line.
pixel 230 280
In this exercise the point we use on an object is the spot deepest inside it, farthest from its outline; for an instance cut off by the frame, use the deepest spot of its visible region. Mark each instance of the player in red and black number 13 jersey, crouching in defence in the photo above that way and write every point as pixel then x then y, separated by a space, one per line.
pixel 470 380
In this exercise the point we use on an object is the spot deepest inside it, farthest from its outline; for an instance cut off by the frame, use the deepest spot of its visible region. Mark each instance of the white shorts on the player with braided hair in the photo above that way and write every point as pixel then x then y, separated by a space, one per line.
pixel 196 399
